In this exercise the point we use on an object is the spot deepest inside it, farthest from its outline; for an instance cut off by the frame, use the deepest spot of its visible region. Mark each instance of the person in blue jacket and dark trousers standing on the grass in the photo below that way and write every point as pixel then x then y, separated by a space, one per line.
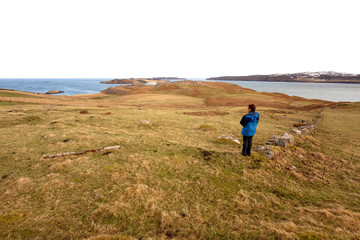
pixel 249 122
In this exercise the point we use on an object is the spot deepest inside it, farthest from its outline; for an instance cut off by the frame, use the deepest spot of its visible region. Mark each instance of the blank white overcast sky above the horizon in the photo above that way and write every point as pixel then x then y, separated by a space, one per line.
pixel 182 38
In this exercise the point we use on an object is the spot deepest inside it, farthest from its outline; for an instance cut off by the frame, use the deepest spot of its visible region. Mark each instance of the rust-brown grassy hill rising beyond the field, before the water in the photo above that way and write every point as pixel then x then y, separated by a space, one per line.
pixel 218 94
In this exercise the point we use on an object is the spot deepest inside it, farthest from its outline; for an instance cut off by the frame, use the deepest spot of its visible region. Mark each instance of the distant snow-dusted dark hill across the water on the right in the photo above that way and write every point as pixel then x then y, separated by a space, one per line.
pixel 326 77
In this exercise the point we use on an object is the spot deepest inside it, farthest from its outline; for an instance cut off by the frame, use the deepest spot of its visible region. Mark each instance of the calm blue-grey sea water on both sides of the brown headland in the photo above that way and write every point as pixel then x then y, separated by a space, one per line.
pixel 72 86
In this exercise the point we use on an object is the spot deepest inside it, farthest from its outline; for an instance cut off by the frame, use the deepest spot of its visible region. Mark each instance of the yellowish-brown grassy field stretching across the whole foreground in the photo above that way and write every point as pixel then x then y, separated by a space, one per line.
pixel 173 179
